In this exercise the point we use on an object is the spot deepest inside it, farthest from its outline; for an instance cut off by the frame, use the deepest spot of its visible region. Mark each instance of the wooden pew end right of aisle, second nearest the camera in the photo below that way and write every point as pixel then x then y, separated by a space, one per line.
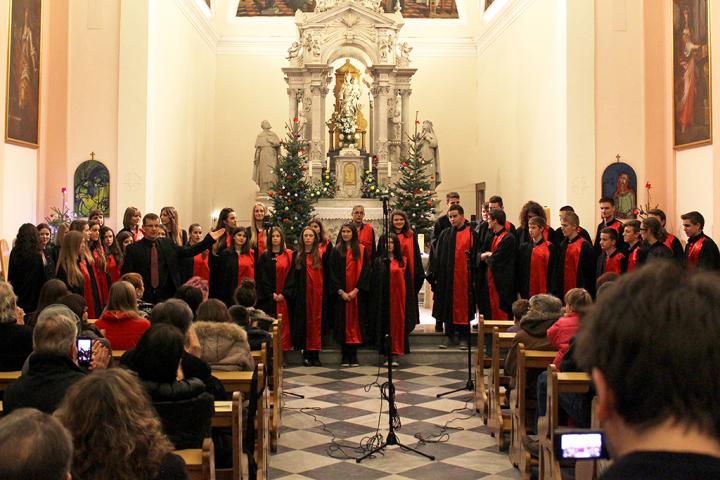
pixel 527 360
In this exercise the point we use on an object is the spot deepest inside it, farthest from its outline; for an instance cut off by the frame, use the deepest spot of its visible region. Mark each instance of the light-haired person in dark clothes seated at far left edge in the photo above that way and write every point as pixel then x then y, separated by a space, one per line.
pixel 15 337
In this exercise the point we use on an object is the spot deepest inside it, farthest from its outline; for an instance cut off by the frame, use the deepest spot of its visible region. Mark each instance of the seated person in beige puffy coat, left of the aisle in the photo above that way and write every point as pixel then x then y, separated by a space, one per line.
pixel 223 344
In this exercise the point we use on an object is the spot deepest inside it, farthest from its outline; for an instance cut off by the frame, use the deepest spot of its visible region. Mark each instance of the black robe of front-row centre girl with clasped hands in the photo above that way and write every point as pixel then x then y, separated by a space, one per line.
pixel 336 277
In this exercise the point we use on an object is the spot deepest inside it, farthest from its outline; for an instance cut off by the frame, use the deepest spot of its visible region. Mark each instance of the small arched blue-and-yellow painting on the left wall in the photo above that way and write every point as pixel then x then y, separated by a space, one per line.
pixel 92 188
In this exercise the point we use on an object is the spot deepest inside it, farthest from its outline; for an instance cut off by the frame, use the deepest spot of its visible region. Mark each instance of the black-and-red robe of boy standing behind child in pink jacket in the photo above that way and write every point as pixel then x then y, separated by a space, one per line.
pixel 581 274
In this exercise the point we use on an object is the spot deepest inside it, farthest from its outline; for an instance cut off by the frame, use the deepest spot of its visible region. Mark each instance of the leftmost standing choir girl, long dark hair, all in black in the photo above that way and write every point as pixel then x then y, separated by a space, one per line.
pixel 26 270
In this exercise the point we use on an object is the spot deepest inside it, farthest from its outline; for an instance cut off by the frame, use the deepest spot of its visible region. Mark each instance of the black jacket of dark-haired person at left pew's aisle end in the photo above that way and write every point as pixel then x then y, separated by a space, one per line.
pixel 185 409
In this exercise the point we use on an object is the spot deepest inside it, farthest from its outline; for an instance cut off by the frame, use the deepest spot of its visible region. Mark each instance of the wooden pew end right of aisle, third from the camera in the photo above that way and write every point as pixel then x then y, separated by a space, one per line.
pixel 499 422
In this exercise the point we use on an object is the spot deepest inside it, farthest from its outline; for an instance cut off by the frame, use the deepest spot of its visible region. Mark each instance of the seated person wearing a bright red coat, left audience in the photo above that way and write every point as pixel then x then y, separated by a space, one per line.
pixel 121 322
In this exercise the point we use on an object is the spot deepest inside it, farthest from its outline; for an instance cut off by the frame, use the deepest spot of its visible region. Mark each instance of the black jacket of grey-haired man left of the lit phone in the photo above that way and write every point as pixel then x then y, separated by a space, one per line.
pixel 44 385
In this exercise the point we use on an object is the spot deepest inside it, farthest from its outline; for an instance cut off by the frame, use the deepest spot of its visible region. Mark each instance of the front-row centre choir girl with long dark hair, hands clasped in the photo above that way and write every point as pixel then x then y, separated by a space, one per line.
pixel 349 275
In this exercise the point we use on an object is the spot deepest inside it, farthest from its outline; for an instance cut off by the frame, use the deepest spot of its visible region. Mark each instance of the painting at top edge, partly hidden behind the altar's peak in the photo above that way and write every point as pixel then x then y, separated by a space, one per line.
pixel 287 8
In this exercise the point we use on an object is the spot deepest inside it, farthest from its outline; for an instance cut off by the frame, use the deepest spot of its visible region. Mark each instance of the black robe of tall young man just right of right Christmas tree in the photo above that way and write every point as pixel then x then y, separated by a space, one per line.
pixel 441 273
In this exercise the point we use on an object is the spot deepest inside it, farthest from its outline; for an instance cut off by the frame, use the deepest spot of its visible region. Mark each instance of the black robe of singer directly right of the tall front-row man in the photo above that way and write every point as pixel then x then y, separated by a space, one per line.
pixel 502 265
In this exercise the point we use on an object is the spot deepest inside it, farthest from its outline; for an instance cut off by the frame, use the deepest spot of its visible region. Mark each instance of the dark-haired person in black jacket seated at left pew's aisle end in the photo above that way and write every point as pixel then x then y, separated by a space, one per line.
pixel 182 403
